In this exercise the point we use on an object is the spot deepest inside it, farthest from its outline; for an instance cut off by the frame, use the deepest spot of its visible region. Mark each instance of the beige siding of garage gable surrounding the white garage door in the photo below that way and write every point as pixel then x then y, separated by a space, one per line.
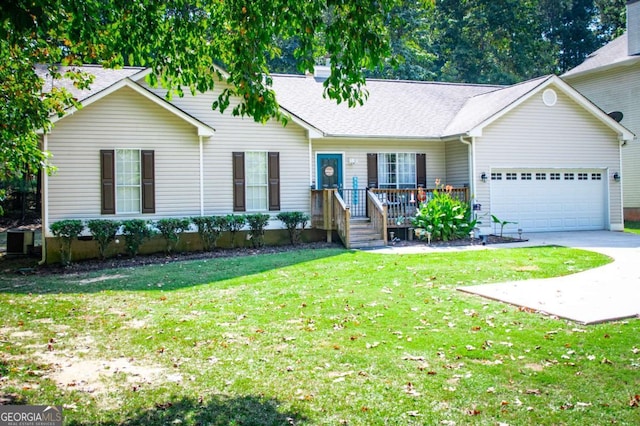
pixel 534 135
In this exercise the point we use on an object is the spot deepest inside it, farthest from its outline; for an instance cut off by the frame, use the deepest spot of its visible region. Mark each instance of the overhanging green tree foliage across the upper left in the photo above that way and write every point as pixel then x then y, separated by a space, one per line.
pixel 182 41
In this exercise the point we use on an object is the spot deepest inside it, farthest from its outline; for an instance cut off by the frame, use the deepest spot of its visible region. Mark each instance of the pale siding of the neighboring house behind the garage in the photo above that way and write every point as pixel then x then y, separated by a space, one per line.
pixel 618 89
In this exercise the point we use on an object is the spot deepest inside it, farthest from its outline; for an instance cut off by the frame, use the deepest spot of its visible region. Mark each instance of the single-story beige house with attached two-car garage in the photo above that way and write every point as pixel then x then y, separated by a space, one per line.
pixel 537 153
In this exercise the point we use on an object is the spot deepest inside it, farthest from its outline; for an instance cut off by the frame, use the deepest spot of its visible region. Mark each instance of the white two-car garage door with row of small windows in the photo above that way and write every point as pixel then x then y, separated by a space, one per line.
pixel 550 200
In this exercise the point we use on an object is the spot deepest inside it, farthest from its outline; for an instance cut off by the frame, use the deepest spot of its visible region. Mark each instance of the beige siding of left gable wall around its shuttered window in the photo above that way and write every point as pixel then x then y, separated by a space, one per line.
pixel 122 120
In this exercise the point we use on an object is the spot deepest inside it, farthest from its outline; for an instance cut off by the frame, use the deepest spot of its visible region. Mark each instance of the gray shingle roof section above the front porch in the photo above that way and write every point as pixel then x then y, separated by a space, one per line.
pixel 397 109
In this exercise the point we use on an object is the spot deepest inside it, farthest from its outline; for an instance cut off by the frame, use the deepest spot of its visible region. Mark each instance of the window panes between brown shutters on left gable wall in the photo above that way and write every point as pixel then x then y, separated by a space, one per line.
pixel 128 181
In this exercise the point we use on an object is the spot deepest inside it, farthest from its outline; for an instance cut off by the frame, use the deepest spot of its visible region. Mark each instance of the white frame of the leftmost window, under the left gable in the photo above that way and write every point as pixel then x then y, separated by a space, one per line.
pixel 123 185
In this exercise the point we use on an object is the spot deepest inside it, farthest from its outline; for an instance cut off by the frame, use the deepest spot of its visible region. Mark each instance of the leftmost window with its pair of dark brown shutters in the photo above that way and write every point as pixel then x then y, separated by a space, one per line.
pixel 127 181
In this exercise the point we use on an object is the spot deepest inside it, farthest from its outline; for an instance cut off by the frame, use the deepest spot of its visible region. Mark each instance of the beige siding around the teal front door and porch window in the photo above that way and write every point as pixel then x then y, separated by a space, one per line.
pixel 358 149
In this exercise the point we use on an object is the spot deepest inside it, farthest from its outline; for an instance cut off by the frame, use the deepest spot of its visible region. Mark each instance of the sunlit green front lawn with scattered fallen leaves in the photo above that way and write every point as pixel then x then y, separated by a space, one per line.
pixel 314 337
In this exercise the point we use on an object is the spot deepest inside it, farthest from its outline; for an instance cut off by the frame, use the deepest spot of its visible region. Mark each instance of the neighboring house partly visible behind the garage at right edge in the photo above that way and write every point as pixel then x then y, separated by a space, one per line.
pixel 610 77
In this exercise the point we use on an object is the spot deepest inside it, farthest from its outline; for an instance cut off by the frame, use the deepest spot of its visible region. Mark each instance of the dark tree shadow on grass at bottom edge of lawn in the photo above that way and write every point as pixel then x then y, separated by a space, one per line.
pixel 219 410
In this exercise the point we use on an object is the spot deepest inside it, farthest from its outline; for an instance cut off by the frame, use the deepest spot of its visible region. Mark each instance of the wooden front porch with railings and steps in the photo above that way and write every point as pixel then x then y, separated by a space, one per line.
pixel 362 217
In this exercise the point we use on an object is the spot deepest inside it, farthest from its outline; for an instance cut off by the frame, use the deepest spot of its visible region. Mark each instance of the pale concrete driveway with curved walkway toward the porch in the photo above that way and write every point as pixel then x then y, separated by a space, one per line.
pixel 607 293
